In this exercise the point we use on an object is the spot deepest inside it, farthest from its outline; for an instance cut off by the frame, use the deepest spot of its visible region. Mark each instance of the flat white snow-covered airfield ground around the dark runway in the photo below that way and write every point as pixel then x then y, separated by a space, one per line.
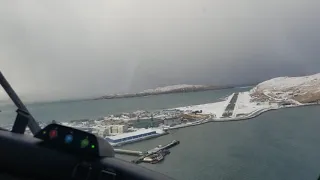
pixel 236 107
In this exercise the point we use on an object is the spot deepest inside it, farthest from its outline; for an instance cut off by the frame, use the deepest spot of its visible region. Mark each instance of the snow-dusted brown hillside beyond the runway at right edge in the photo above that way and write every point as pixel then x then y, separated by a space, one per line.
pixel 305 89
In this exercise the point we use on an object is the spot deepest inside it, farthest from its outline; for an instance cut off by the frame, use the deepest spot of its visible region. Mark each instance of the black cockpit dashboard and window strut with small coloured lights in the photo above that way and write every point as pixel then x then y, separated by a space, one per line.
pixel 58 152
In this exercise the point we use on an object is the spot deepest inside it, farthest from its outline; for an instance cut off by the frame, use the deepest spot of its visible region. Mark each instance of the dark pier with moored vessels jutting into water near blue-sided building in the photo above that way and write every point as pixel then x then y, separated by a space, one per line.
pixel 151 156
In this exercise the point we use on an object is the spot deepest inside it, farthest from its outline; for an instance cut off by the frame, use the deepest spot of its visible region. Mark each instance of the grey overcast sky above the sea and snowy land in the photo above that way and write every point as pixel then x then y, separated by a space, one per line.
pixel 70 49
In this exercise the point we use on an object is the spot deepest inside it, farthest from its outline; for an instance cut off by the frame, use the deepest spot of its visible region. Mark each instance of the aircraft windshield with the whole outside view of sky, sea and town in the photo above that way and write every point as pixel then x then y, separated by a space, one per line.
pixel 194 89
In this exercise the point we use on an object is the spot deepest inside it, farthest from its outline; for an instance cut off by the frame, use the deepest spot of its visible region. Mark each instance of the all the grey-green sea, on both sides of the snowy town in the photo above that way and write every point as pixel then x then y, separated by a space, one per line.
pixel 282 144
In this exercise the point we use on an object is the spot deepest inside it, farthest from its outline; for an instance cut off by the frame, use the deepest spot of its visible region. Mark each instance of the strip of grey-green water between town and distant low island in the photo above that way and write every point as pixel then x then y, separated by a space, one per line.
pixel 72 110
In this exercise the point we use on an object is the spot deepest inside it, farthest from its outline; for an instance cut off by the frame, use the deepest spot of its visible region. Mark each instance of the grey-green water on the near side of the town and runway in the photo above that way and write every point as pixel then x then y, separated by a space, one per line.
pixel 278 145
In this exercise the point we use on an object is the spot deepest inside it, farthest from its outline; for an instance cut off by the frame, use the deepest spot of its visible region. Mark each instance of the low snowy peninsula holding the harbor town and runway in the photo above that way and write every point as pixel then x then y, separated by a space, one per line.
pixel 125 128
